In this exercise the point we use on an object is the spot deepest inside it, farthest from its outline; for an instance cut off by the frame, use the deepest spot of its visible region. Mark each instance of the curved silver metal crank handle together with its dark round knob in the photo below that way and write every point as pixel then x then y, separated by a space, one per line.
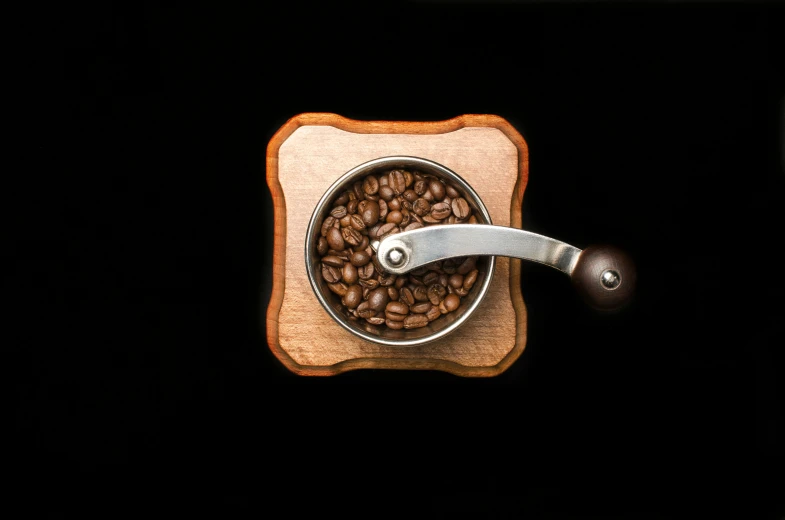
pixel 602 274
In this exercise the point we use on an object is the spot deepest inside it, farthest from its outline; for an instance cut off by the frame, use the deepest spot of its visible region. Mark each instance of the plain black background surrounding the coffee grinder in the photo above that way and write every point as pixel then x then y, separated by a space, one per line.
pixel 143 362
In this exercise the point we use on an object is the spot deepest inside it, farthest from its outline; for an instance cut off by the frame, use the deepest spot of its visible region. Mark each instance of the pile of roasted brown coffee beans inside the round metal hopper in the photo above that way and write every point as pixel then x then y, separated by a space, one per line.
pixel 375 207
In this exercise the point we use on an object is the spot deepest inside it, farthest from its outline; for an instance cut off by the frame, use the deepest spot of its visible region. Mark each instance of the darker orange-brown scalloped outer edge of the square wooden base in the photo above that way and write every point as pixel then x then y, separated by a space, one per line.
pixel 279 239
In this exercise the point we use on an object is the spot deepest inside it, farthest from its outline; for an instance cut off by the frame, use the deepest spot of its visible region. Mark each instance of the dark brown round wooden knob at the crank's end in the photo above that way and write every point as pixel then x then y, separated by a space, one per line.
pixel 605 277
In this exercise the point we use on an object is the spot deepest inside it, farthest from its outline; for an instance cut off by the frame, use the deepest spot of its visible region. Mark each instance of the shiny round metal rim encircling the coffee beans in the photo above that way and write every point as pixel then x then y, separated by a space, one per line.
pixel 344 181
